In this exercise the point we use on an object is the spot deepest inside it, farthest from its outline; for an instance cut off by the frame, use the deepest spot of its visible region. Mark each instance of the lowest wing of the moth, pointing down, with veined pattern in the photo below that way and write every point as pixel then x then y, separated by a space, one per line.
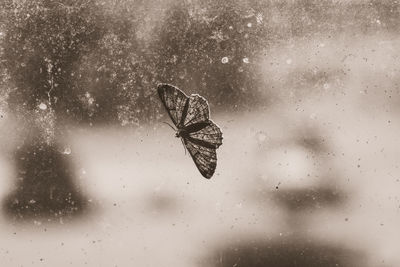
pixel 204 158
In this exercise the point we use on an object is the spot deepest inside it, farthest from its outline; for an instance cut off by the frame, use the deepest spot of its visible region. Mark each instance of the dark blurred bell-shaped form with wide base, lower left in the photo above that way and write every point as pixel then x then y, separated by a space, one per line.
pixel 44 187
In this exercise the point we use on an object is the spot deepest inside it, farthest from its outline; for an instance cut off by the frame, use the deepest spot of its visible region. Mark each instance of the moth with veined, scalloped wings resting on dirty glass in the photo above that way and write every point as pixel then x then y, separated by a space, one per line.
pixel 191 116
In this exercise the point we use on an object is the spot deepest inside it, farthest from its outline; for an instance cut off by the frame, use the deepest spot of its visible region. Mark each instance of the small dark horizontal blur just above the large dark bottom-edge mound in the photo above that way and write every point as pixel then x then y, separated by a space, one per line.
pixel 299 199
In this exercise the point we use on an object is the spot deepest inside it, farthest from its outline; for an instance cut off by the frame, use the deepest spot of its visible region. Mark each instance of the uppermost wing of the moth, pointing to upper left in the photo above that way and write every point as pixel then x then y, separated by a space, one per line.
pixel 175 102
